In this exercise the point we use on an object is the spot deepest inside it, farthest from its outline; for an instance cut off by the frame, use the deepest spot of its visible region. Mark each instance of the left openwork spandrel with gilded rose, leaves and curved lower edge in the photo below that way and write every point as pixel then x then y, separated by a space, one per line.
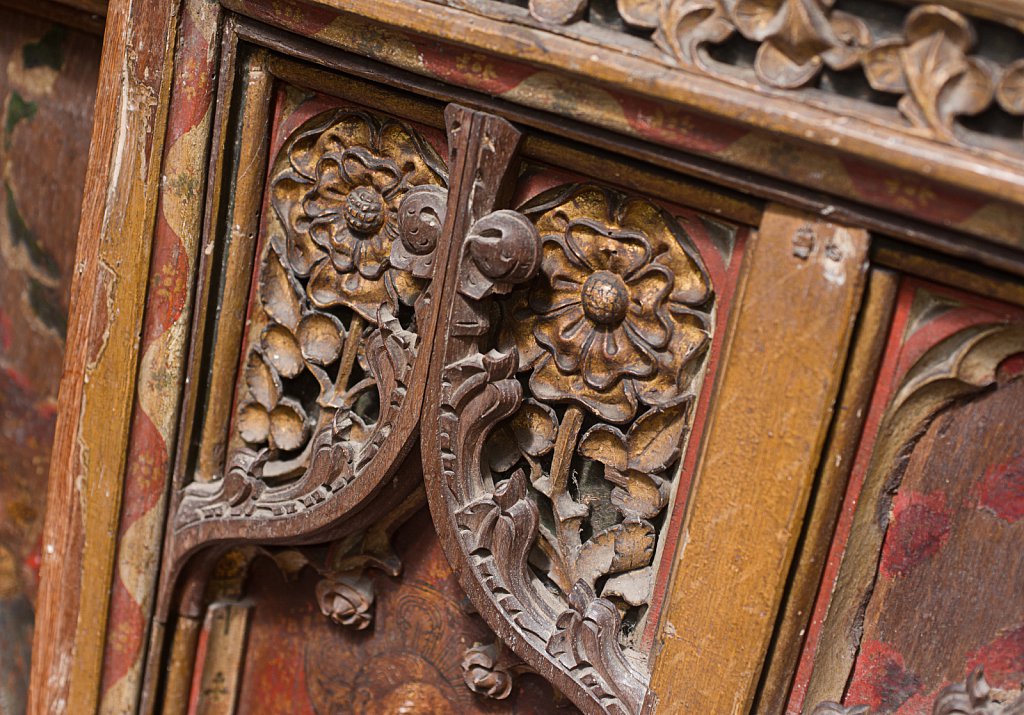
pixel 359 203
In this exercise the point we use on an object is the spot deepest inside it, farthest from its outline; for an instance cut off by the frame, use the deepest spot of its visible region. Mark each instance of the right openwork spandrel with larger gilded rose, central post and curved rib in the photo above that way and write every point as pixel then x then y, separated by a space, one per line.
pixel 575 340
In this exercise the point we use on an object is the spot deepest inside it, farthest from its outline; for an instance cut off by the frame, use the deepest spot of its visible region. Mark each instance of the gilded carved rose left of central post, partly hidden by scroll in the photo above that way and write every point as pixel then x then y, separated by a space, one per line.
pixel 339 203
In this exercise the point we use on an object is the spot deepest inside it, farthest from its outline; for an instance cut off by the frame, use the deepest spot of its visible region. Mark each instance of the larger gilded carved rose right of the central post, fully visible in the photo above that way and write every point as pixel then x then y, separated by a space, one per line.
pixel 611 320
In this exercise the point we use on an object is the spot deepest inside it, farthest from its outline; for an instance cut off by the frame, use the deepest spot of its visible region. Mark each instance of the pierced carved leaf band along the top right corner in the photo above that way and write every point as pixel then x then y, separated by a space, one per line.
pixel 929 57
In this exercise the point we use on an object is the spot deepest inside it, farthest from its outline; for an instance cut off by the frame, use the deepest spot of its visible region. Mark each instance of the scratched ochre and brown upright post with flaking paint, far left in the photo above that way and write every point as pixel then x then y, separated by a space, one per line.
pixel 98 389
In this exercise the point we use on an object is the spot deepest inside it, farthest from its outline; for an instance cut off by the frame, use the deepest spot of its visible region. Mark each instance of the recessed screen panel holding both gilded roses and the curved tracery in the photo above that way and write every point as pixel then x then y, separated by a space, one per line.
pixel 409 269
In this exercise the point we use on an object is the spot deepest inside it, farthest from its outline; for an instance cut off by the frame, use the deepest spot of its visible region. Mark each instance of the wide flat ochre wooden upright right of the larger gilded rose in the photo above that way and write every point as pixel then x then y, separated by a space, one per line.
pixel 781 374
